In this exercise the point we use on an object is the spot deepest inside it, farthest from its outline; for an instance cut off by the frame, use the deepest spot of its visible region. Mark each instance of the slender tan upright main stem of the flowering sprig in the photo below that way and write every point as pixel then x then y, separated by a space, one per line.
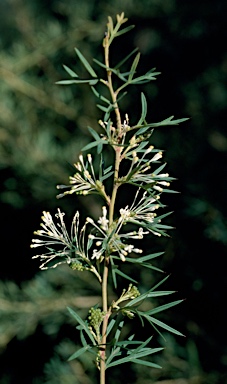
pixel 111 216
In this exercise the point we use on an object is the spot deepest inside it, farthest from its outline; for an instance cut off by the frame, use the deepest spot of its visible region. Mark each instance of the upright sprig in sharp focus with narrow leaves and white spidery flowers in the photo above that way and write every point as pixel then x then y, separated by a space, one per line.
pixel 102 246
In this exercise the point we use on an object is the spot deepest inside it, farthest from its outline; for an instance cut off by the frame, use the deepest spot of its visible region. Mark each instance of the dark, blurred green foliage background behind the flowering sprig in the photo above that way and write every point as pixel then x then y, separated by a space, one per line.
pixel 43 127
